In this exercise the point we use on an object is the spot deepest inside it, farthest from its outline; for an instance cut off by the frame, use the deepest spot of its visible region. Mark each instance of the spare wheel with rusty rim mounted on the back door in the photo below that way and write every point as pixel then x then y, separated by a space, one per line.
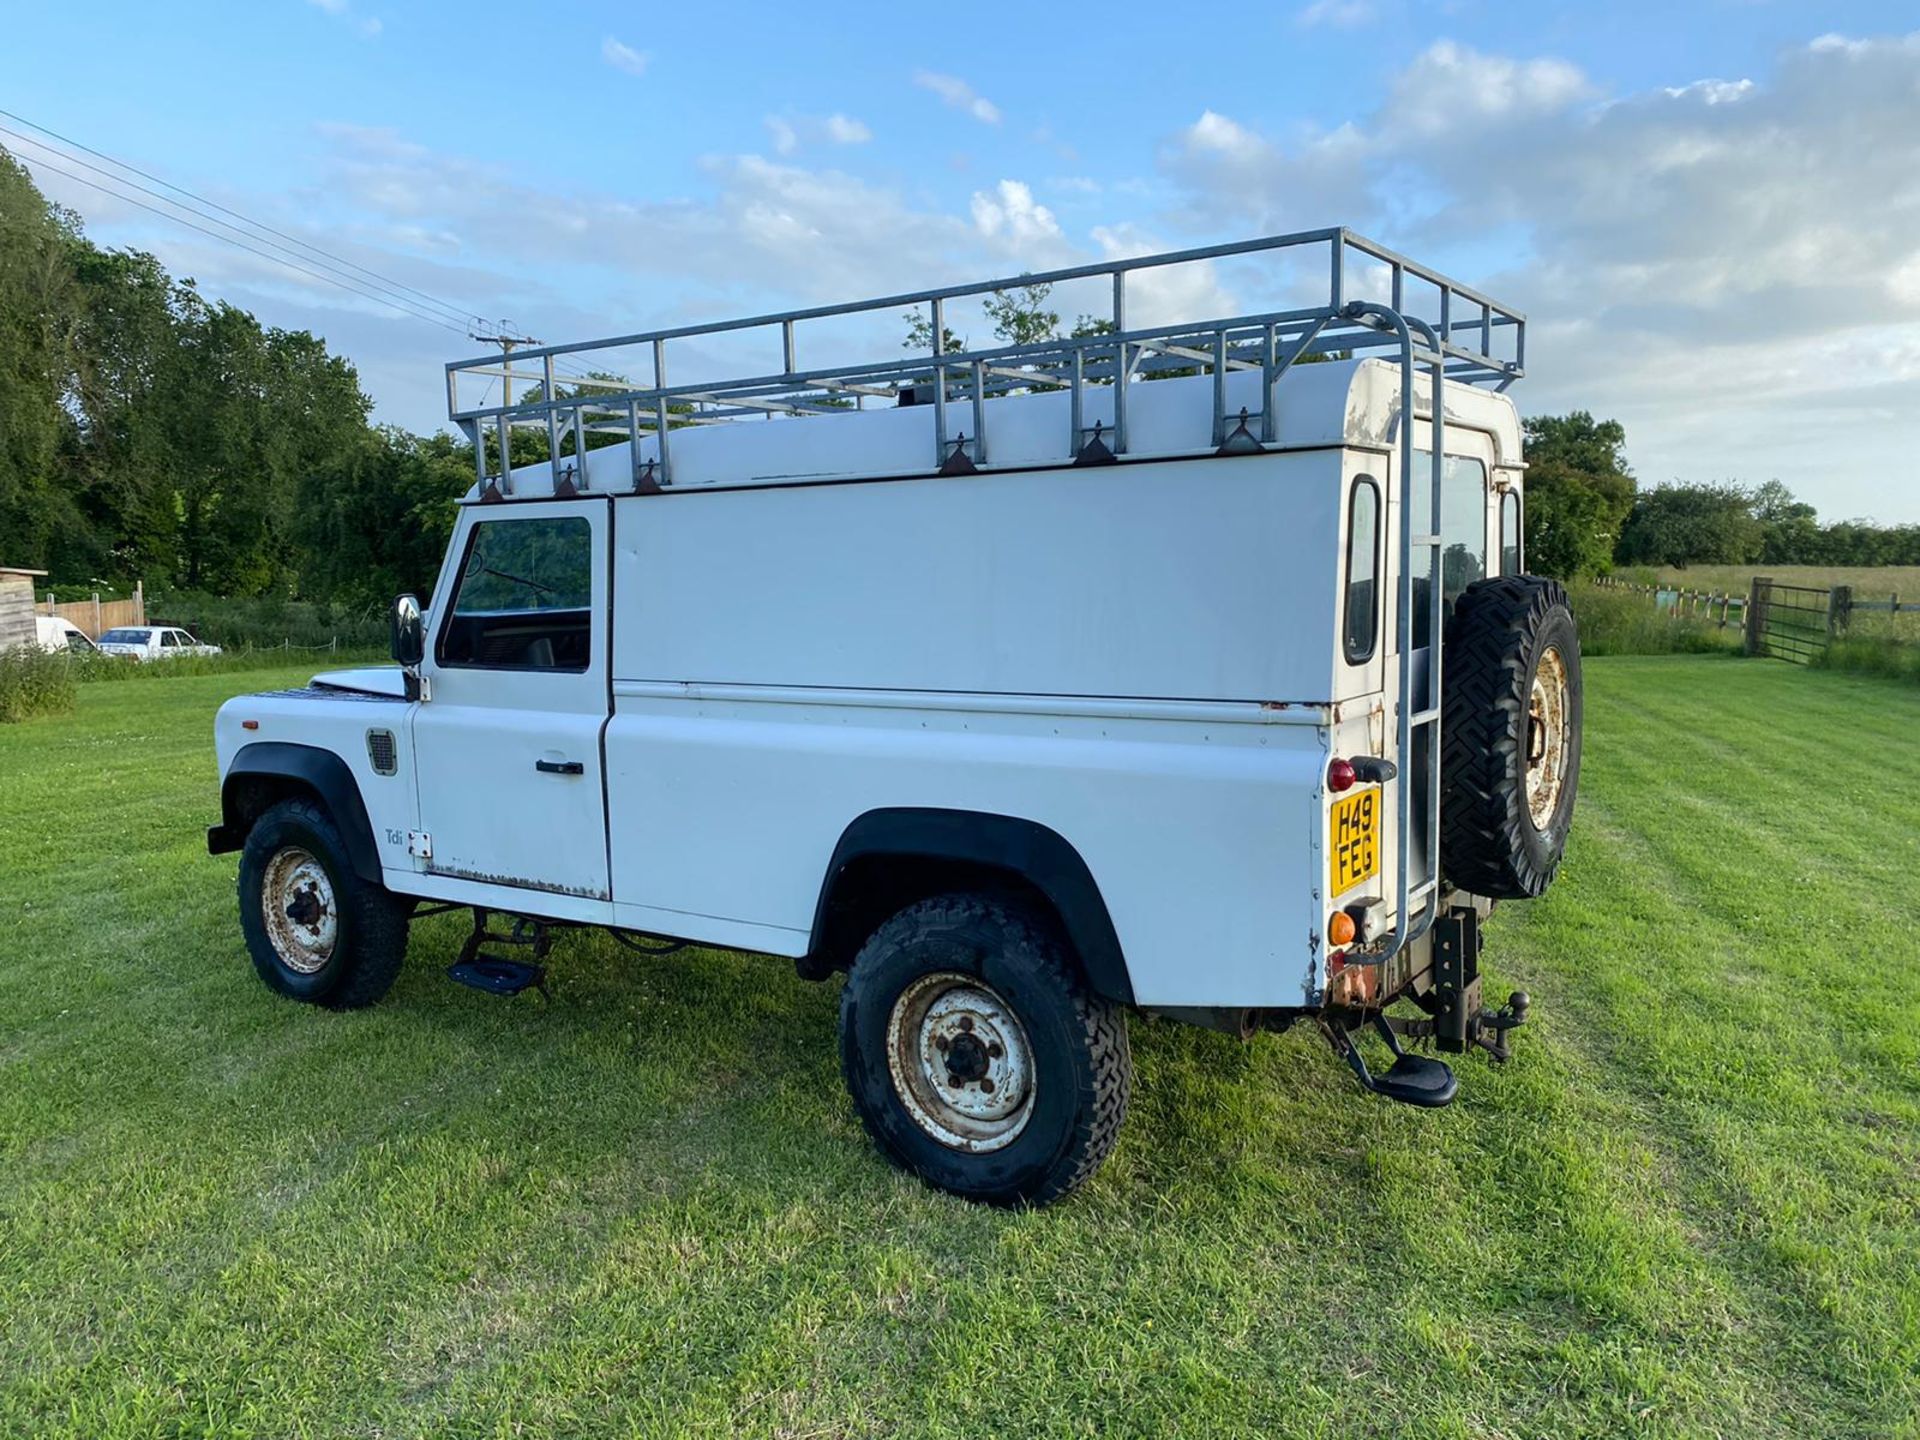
pixel 1512 736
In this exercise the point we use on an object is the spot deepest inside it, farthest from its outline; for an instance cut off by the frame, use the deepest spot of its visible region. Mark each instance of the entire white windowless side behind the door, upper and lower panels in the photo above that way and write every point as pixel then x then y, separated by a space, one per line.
pixel 1136 658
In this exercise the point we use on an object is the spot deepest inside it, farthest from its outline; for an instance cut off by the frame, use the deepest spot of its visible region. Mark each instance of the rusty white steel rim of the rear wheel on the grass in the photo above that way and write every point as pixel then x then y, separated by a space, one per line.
pixel 961 1063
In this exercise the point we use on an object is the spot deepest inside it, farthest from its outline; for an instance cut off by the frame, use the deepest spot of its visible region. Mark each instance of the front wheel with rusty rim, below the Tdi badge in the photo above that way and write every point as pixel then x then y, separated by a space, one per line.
pixel 316 930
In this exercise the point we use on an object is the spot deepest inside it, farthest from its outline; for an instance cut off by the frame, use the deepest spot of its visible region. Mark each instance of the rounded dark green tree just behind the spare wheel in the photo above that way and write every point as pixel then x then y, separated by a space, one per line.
pixel 1579 492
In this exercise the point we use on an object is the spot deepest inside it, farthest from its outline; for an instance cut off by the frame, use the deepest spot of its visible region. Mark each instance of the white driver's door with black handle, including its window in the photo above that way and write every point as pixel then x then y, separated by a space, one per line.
pixel 508 744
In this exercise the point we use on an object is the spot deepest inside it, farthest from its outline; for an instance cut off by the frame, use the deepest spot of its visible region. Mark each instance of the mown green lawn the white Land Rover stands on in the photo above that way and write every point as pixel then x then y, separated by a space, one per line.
pixel 1691 1207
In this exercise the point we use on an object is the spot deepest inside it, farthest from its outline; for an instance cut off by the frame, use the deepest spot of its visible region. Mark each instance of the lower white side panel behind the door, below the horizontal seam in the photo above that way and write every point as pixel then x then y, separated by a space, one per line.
pixel 1201 830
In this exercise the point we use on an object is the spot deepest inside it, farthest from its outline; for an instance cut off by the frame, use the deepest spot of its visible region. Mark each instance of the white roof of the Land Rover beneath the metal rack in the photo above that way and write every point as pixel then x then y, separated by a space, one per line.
pixel 1347 402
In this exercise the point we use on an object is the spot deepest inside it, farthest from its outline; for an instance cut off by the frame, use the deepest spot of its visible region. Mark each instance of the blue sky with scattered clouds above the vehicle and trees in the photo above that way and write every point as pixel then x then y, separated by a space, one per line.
pixel 1710 210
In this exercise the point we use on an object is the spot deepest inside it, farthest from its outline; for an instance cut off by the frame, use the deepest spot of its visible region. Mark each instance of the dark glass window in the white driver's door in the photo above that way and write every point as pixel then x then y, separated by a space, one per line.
pixel 525 598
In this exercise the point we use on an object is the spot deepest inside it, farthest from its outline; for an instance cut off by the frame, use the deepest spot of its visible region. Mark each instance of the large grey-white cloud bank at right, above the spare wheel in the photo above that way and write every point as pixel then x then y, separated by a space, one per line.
pixel 1714 262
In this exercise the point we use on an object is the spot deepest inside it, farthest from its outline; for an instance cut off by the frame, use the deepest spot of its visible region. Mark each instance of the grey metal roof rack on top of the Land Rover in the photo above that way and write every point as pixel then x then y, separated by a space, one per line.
pixel 1476 341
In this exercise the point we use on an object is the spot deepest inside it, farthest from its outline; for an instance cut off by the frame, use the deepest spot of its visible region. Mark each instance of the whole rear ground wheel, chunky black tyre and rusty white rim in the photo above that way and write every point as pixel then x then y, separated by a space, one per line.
pixel 978 1057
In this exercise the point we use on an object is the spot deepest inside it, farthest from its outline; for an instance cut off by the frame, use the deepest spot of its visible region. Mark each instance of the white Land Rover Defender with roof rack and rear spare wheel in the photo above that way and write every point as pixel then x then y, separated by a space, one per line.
pixel 1182 667
